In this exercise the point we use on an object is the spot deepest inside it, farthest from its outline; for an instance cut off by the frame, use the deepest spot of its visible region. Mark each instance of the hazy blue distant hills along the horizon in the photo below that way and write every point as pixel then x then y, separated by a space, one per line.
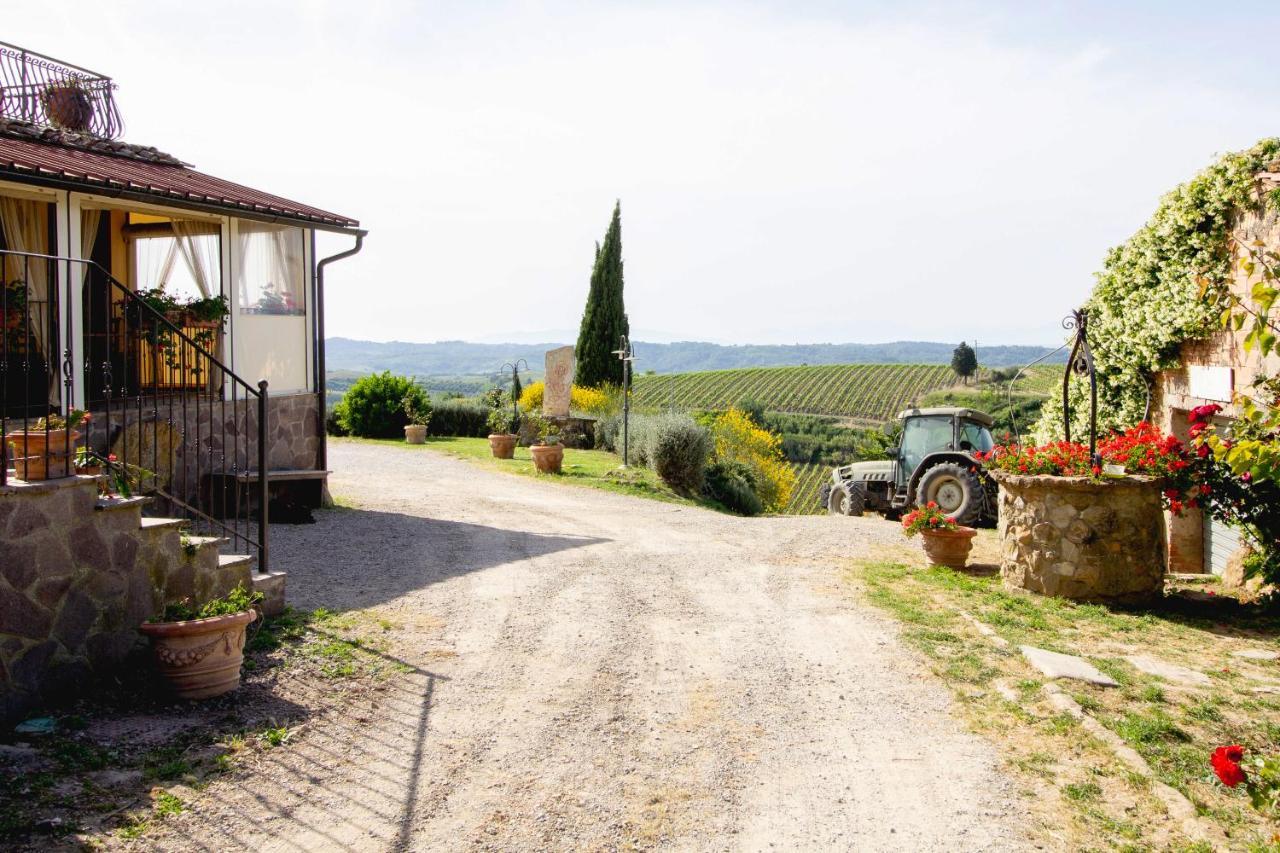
pixel 460 358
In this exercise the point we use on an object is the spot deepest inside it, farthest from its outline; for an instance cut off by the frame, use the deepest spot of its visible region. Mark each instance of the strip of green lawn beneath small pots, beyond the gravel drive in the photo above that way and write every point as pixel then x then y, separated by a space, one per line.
pixel 584 468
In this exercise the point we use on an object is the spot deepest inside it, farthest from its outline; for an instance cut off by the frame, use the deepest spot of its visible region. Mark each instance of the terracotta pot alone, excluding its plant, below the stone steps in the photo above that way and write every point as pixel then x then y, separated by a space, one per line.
pixel 202 658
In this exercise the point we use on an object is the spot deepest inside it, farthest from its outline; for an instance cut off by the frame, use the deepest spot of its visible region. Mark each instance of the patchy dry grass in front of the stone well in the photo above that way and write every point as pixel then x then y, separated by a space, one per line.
pixel 1100 802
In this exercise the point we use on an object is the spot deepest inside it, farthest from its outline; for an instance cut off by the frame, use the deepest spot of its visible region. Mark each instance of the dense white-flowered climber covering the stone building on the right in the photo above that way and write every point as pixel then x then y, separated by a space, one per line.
pixel 1148 300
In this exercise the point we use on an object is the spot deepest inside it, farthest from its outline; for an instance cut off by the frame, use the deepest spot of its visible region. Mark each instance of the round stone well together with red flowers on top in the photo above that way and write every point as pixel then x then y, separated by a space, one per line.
pixel 1090 530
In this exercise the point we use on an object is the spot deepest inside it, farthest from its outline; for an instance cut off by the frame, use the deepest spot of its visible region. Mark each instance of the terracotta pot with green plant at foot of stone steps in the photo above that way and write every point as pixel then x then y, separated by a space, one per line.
pixel 200 651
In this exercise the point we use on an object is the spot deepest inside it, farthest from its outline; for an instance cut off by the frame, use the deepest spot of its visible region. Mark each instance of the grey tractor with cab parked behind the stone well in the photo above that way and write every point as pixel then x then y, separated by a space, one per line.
pixel 934 462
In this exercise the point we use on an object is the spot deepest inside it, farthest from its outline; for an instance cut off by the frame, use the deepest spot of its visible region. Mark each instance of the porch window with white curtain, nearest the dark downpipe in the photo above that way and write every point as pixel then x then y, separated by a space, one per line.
pixel 272 272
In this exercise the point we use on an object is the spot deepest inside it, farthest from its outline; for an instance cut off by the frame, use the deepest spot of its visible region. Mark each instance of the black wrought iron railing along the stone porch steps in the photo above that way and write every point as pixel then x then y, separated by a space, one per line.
pixel 167 418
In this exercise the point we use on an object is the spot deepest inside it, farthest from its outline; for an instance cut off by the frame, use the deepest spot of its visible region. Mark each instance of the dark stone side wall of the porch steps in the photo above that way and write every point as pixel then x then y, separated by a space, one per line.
pixel 77 578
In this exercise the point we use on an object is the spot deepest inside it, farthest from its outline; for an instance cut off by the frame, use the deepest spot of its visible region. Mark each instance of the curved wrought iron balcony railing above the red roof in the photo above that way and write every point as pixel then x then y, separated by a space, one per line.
pixel 43 90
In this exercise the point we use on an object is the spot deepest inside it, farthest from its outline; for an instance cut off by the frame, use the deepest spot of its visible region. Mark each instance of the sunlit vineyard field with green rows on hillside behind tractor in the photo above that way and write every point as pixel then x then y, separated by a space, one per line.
pixel 870 394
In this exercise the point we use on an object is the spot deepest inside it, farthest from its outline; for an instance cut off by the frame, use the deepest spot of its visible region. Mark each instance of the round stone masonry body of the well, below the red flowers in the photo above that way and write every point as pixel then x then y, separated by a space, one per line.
pixel 1081 539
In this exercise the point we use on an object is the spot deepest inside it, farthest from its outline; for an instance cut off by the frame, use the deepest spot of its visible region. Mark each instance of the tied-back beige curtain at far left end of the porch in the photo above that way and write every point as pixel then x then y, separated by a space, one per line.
pixel 26 230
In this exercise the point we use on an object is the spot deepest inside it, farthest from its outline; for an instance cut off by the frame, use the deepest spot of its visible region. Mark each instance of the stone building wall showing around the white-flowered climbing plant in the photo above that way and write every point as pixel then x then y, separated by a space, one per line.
pixel 1214 371
